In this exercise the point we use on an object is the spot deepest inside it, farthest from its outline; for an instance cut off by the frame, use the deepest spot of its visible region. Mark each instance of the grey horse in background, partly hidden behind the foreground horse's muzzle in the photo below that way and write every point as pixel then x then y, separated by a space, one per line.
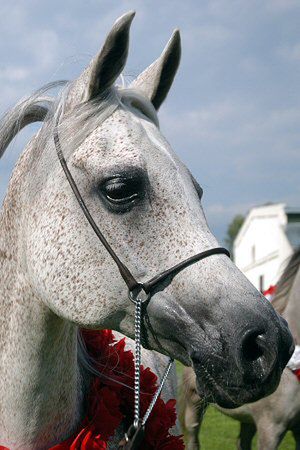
pixel 272 416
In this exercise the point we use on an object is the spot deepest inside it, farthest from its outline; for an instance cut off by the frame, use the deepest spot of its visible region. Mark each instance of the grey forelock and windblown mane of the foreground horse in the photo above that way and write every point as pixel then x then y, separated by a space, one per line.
pixel 75 124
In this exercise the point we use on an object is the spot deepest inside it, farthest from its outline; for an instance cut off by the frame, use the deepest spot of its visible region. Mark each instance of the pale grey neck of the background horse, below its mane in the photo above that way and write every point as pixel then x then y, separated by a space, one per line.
pixel 292 310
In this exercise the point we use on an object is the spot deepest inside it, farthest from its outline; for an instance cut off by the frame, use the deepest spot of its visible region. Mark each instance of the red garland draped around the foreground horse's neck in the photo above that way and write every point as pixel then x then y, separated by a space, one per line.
pixel 111 401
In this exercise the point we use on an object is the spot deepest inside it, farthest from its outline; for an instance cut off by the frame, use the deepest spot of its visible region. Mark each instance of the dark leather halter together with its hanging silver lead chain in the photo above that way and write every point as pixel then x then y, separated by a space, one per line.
pixel 140 294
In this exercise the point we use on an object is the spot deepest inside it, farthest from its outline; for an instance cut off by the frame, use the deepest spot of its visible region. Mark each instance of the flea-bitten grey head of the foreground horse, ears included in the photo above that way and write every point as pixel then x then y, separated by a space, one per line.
pixel 148 206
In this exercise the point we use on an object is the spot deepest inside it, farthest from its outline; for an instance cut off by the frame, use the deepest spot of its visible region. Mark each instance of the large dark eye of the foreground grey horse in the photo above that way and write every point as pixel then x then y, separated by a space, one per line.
pixel 124 191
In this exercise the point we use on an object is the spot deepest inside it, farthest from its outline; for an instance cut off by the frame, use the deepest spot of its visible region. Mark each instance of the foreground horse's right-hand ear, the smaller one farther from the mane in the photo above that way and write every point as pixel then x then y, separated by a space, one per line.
pixel 157 79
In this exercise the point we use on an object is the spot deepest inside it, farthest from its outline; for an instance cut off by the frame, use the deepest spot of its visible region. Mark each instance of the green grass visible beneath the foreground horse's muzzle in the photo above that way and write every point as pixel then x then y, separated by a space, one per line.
pixel 220 432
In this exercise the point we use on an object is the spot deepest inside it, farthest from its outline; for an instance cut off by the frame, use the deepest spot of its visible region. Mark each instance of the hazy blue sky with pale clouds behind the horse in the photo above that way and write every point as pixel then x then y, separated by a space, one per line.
pixel 233 114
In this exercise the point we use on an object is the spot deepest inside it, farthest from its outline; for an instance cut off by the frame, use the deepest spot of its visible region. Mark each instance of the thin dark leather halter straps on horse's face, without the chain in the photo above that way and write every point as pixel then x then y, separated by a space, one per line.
pixel 133 285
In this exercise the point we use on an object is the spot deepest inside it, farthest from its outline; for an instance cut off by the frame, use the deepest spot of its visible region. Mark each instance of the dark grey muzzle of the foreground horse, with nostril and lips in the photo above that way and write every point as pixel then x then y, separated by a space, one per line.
pixel 249 366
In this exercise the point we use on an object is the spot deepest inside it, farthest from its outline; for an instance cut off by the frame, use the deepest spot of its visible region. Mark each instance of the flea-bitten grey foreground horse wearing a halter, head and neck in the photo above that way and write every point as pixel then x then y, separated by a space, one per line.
pixel 56 276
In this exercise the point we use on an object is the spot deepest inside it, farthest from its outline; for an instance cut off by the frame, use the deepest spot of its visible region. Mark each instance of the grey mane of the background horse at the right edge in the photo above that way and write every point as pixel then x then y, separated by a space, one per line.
pixel 285 282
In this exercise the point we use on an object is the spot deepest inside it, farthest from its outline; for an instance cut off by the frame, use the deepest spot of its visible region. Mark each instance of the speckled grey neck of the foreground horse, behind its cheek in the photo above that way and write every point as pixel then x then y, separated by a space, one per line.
pixel 40 388
